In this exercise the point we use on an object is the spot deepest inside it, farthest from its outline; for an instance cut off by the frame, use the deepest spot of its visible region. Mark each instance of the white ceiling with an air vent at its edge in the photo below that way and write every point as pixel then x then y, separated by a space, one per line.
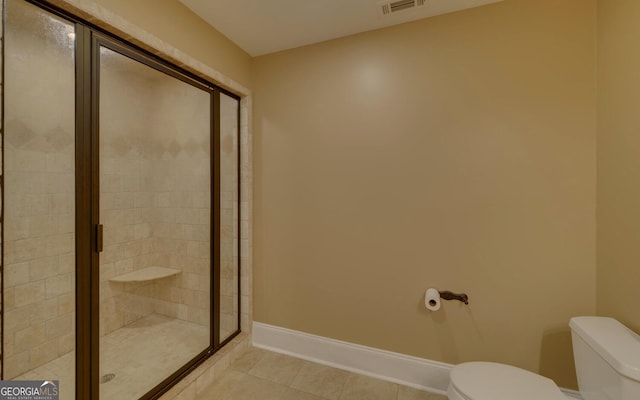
pixel 266 26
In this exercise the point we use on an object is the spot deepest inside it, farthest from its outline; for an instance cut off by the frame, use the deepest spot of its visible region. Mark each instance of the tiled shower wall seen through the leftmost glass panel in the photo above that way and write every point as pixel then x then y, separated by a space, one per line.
pixel 39 218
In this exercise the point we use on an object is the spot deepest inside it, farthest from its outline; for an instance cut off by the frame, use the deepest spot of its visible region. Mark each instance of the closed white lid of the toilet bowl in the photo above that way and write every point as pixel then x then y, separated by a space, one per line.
pixel 492 381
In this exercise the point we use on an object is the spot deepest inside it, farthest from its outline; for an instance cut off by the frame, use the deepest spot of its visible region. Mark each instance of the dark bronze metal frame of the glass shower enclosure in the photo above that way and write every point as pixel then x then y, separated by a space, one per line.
pixel 89 38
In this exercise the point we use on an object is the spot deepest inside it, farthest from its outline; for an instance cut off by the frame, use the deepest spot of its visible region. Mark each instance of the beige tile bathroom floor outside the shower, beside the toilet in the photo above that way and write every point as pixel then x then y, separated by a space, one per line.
pixel 263 375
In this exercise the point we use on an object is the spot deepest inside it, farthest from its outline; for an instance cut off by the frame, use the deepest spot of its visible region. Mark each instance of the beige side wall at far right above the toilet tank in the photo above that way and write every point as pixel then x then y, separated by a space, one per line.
pixel 618 160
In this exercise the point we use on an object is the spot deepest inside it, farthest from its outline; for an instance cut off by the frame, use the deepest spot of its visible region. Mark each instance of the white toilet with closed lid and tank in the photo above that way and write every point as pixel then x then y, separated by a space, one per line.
pixel 607 359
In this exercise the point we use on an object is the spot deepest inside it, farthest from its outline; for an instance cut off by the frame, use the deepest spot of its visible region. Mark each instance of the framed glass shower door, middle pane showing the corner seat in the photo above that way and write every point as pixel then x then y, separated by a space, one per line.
pixel 155 208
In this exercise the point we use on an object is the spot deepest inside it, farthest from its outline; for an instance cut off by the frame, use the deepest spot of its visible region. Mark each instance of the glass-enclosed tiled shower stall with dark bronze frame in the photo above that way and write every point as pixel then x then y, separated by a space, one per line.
pixel 120 216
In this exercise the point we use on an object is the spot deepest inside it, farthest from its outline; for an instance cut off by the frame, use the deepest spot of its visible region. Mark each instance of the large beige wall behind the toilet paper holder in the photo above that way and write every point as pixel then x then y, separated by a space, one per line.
pixel 456 152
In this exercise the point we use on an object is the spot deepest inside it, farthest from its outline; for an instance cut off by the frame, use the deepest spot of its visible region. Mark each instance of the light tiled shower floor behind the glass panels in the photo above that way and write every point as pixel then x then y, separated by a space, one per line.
pixel 138 356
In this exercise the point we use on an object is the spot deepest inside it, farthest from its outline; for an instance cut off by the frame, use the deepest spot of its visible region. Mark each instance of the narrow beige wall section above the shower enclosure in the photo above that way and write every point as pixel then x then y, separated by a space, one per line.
pixel 175 24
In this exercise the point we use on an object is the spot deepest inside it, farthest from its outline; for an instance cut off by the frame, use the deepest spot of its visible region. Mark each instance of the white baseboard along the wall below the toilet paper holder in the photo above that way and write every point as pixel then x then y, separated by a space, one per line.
pixel 399 368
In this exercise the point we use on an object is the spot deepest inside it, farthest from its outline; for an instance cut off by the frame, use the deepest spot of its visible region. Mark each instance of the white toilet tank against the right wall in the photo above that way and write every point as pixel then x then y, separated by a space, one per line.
pixel 607 359
